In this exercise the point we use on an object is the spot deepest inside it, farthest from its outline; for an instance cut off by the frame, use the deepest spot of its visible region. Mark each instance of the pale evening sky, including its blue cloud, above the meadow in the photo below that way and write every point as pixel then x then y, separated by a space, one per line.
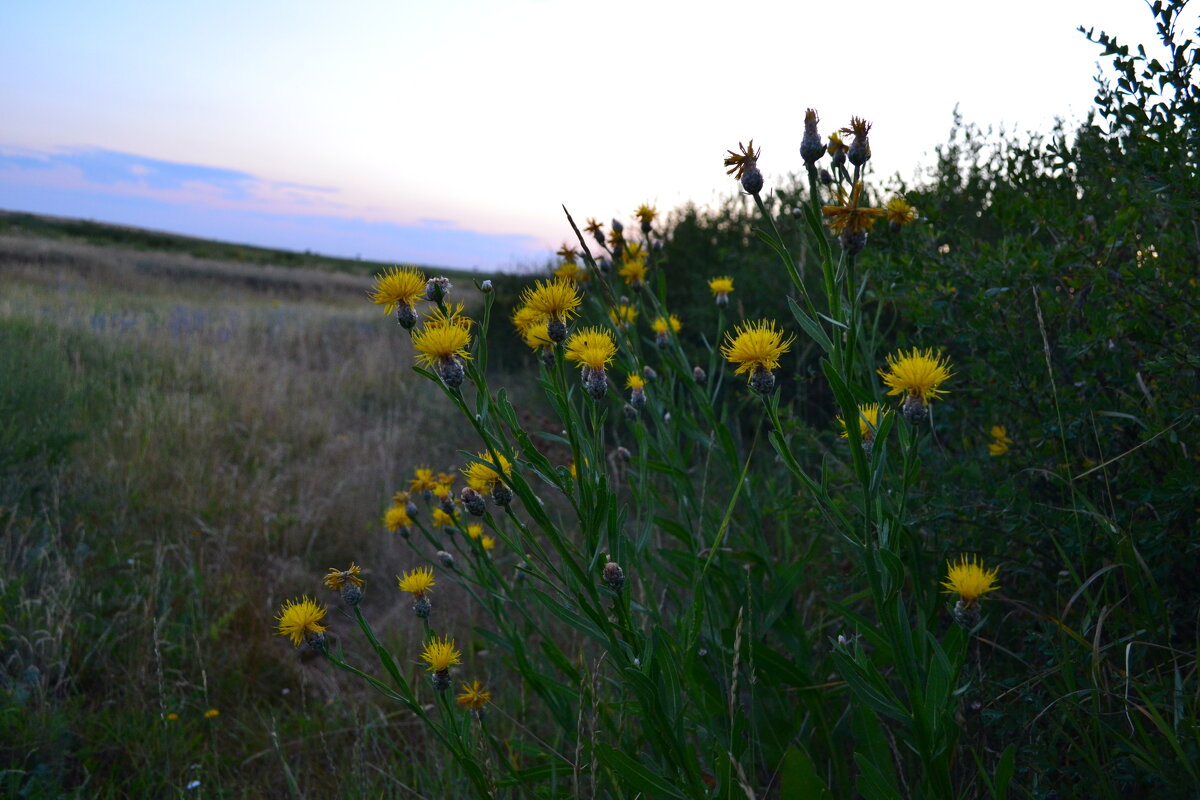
pixel 453 134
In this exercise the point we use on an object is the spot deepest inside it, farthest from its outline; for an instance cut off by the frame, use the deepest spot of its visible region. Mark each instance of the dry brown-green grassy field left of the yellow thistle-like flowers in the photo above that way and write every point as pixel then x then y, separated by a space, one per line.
pixel 189 442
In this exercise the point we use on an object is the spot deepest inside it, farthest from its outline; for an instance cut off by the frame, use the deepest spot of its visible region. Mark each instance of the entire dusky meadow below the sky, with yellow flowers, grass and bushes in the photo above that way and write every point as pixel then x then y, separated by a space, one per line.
pixel 843 488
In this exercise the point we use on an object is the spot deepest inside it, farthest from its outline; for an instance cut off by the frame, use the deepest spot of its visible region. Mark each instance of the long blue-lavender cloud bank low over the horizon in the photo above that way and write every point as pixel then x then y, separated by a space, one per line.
pixel 239 207
